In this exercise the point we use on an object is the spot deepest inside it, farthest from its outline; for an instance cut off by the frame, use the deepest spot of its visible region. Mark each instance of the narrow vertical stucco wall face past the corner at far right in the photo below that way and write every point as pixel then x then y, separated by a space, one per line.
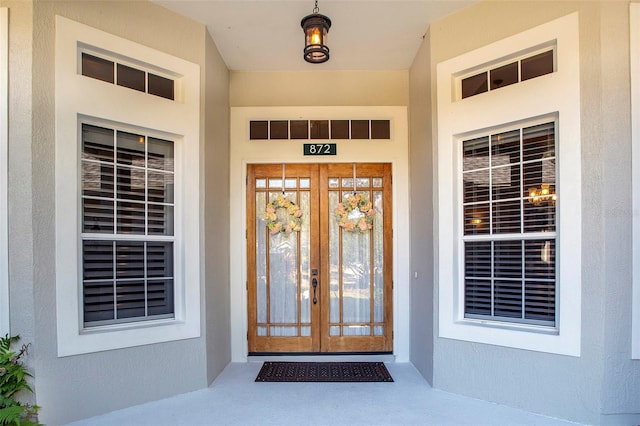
pixel 621 378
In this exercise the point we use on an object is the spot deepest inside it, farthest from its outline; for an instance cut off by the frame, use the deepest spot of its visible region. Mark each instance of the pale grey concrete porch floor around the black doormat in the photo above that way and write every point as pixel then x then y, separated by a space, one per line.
pixel 235 399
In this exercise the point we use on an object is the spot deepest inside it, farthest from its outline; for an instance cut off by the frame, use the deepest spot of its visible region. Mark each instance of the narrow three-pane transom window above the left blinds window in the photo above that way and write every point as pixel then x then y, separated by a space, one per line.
pixel 127 76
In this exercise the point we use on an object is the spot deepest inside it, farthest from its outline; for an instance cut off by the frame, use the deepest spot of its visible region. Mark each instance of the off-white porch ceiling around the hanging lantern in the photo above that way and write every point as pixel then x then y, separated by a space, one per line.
pixel 265 35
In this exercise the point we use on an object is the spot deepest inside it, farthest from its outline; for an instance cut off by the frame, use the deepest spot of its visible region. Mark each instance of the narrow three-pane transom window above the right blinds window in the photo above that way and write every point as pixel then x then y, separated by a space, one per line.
pixel 525 68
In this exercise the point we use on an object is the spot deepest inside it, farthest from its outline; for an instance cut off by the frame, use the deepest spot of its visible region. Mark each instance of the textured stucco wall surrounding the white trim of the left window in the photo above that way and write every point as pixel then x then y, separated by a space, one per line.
pixel 75 387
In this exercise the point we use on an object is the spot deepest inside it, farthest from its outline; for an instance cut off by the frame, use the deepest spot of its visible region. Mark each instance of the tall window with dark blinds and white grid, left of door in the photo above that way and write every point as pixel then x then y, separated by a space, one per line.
pixel 127 226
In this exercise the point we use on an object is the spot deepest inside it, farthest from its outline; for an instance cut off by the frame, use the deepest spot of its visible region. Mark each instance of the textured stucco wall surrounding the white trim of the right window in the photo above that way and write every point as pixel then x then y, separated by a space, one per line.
pixel 603 384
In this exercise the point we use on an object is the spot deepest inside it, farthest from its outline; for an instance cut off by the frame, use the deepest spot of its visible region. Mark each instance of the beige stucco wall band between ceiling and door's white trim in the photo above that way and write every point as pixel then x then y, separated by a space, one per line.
pixel 319 88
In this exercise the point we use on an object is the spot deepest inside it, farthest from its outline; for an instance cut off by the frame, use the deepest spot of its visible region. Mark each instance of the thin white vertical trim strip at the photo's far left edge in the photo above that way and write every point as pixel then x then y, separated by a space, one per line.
pixel 4 185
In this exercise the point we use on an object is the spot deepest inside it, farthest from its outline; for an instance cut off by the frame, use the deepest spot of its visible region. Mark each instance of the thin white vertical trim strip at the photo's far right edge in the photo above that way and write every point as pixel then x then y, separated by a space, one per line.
pixel 634 43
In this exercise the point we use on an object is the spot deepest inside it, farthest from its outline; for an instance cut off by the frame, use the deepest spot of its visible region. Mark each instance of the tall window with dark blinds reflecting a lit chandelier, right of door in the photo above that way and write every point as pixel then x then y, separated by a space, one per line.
pixel 509 204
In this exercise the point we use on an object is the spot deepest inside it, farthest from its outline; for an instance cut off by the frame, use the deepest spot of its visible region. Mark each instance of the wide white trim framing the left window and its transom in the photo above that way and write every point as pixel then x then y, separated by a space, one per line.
pixel 180 120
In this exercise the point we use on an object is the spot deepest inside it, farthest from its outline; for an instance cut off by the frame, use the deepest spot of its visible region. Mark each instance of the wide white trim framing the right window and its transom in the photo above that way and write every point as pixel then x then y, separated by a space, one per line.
pixel 503 107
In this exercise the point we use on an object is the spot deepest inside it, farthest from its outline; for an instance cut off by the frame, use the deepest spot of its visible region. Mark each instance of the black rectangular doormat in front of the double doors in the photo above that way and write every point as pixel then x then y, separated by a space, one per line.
pixel 324 372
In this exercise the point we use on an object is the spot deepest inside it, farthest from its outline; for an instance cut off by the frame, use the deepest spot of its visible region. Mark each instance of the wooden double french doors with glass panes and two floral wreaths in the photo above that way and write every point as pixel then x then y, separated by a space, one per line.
pixel 319 258
